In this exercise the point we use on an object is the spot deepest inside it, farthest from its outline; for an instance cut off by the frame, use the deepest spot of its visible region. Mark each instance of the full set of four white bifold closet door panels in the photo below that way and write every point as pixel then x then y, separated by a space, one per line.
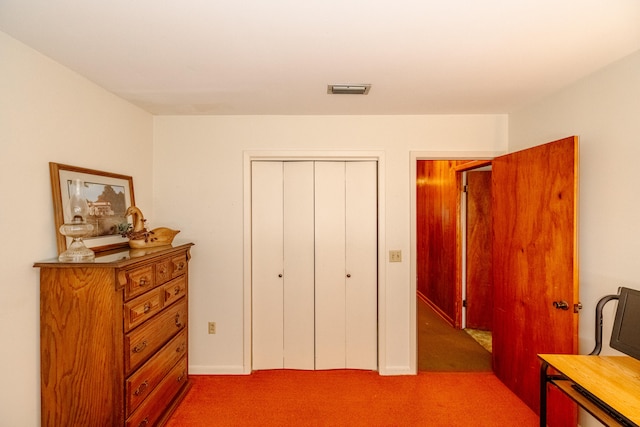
pixel 314 271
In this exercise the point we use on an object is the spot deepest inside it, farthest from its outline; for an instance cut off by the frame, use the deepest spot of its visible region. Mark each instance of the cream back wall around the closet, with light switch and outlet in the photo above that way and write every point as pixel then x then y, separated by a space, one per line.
pixel 198 187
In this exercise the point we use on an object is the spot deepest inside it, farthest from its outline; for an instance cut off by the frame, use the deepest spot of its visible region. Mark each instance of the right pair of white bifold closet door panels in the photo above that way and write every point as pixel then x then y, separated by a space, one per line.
pixel 346 265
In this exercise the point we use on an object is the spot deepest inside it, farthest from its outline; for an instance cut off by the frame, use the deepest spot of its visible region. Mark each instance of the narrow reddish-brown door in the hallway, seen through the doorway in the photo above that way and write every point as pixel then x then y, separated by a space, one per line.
pixel 479 276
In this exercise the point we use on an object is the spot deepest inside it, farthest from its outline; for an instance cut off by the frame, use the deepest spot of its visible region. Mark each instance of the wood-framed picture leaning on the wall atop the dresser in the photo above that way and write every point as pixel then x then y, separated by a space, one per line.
pixel 108 196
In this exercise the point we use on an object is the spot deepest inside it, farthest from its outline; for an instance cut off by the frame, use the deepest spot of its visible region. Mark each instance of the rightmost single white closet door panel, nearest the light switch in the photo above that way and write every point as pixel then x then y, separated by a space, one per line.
pixel 361 288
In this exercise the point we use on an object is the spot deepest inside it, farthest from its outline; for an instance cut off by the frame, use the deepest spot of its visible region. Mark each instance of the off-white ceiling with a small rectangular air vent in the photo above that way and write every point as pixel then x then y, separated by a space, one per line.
pixel 278 56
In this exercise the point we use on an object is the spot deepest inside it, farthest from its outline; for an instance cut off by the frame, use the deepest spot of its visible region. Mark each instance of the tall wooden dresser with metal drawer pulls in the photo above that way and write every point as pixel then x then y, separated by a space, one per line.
pixel 113 338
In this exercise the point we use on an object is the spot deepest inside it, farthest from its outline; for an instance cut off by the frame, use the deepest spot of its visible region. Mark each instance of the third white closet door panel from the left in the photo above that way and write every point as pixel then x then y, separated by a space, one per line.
pixel 330 265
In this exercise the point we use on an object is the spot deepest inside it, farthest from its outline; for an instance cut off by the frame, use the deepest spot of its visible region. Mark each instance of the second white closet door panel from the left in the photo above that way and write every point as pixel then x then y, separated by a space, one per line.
pixel 299 277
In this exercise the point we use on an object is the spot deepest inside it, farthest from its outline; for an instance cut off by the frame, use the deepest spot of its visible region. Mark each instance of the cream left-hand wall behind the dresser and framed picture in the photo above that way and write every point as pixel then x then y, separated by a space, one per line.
pixel 48 113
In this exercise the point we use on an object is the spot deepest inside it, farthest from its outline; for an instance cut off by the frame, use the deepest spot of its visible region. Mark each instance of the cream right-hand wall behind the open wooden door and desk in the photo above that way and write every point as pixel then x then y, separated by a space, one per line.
pixel 604 111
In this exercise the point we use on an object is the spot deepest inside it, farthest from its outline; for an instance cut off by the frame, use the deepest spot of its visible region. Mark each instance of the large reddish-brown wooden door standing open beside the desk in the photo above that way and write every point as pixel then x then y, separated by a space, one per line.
pixel 535 267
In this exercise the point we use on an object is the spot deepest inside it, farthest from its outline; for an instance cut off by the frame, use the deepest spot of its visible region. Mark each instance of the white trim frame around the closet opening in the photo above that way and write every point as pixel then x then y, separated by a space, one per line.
pixel 281 155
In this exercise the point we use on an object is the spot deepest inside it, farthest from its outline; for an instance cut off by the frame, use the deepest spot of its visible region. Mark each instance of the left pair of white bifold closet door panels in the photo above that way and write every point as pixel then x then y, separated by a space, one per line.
pixel 282 265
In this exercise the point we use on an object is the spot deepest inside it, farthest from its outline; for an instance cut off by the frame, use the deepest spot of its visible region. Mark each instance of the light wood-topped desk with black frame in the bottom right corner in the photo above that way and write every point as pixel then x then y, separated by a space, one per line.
pixel 614 380
